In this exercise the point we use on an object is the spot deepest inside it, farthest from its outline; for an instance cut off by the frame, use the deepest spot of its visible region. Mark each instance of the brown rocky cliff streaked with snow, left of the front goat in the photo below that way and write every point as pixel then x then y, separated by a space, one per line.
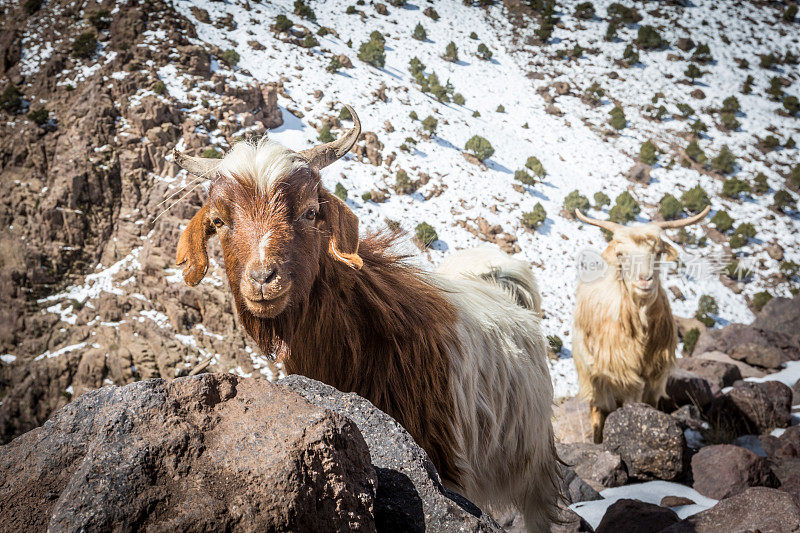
pixel 86 131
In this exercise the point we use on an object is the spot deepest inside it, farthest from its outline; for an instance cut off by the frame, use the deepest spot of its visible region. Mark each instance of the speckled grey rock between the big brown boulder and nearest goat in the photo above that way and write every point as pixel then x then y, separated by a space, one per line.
pixel 410 496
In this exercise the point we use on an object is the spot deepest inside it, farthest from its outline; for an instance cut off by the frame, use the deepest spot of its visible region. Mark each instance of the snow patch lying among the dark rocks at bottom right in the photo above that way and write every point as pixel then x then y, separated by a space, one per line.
pixel 649 492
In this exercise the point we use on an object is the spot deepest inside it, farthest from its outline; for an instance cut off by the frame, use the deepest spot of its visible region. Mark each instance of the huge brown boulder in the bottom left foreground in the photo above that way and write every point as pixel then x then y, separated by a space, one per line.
pixel 212 452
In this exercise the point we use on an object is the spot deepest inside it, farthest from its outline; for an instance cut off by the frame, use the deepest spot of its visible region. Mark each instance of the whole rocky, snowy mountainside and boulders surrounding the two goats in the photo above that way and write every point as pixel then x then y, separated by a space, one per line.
pixel 94 95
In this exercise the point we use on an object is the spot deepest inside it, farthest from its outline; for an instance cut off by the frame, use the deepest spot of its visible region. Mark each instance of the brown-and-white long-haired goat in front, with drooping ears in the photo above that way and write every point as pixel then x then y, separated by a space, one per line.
pixel 452 357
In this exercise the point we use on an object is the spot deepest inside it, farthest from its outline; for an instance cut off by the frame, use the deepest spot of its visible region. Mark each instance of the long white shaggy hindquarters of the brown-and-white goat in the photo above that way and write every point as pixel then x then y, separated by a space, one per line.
pixel 501 388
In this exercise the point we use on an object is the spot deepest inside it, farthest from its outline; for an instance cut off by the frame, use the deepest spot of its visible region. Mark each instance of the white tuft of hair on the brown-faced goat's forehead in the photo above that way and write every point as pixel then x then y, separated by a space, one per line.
pixel 263 162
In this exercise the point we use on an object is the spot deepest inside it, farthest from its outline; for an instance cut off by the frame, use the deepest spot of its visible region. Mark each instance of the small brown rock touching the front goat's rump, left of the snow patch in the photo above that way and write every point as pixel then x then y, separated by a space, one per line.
pixel 597 466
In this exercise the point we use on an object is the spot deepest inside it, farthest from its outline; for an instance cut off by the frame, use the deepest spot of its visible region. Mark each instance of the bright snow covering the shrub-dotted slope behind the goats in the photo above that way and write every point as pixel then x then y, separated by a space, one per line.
pixel 573 149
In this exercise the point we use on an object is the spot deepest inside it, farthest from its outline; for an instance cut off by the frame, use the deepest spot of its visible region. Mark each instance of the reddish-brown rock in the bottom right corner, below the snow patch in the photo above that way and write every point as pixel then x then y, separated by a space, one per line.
pixel 756 509
